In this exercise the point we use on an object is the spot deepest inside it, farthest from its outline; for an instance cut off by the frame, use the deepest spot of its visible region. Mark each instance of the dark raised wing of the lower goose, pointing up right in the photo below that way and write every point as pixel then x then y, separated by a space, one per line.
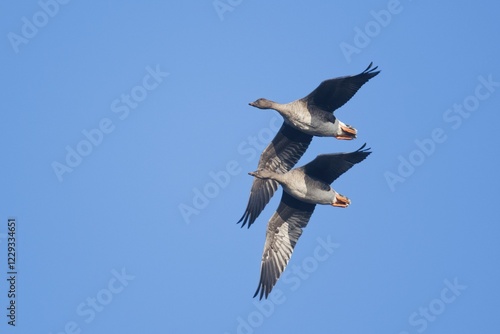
pixel 328 167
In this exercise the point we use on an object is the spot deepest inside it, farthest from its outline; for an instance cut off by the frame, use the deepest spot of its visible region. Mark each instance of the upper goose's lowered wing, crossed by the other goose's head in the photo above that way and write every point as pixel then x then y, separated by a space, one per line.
pixel 280 155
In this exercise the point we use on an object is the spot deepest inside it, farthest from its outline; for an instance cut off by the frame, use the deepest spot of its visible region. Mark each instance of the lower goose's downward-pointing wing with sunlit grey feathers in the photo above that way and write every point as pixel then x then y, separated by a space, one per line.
pixel 283 231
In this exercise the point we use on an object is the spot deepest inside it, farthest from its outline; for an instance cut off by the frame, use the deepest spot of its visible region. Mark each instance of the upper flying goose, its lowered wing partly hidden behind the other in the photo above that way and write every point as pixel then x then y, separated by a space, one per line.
pixel 303 119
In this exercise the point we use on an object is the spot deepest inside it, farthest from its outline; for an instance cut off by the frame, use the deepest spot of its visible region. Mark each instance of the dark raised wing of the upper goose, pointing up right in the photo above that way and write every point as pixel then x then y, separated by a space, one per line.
pixel 334 93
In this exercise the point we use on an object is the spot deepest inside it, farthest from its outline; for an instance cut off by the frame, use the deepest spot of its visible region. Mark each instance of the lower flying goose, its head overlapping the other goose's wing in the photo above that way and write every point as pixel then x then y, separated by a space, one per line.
pixel 303 188
